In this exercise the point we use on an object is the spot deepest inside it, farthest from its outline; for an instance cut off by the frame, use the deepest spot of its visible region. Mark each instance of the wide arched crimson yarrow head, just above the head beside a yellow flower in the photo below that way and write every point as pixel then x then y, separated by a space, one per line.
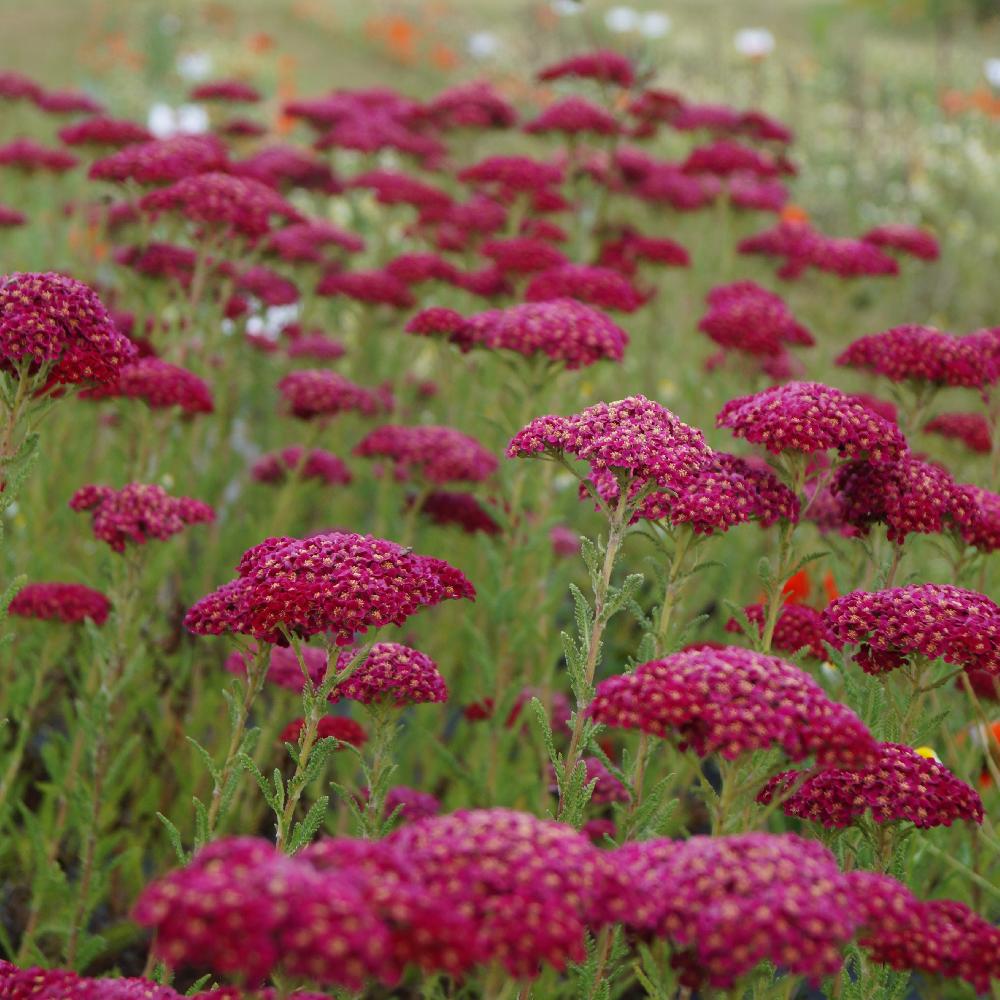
pixel 733 701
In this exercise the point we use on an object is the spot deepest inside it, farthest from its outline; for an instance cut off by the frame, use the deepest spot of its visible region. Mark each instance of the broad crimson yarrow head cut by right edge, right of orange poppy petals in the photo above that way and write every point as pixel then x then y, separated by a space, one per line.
pixel 929 620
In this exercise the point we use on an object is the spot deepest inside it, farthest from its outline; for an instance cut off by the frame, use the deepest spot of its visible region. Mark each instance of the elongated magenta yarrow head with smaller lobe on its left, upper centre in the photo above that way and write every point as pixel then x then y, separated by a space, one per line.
pixel 562 329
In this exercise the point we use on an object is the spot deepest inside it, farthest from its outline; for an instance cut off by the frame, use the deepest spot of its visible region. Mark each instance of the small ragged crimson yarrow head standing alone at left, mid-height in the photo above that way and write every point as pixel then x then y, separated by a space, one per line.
pixel 138 513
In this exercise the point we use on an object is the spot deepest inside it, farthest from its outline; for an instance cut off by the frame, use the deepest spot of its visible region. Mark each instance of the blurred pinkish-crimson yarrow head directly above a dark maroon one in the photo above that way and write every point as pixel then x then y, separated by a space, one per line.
pixel 435 454
